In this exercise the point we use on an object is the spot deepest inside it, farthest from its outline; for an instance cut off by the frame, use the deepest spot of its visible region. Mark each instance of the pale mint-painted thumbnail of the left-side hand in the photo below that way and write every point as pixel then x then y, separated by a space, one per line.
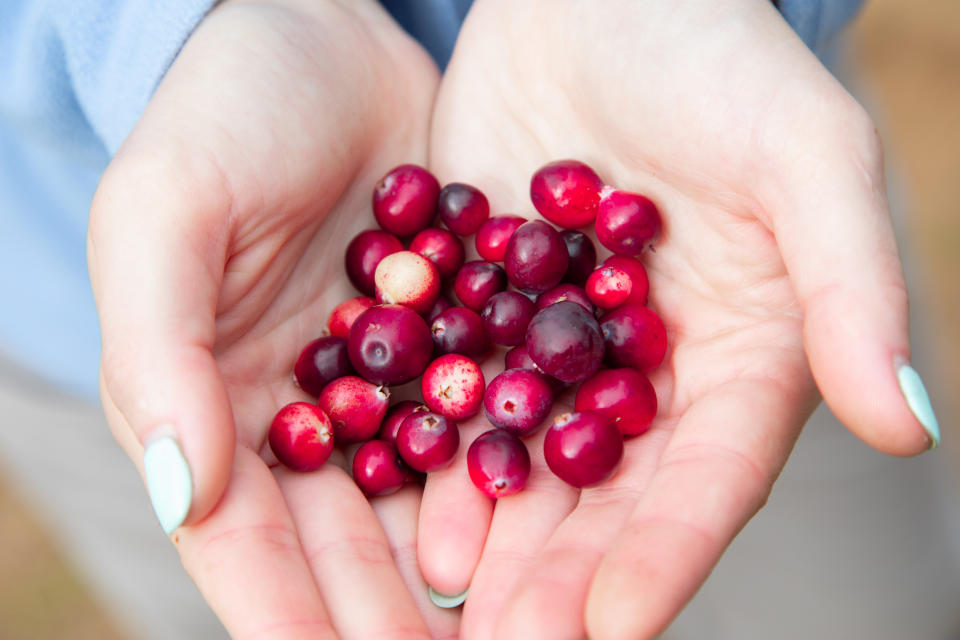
pixel 168 482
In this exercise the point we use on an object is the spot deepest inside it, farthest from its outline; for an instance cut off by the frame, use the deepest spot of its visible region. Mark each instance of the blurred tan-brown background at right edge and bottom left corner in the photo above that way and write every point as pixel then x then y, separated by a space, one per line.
pixel 906 58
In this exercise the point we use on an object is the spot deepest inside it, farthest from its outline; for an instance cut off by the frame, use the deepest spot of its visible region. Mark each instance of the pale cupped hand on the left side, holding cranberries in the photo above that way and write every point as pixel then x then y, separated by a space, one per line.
pixel 216 253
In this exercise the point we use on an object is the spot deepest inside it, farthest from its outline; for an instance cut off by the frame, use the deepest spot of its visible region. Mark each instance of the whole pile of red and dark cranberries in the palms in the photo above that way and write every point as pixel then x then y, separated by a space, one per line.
pixel 534 289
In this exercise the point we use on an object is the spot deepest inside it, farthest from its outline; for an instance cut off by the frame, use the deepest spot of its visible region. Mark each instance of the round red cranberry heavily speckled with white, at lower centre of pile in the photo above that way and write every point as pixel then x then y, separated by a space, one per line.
pixel 453 386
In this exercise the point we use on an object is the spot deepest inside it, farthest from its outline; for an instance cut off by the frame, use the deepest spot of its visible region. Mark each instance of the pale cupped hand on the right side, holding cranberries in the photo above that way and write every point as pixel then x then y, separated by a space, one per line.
pixel 777 273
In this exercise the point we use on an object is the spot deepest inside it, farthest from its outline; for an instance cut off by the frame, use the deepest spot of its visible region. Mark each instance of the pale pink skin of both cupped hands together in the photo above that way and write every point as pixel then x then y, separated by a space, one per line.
pixel 216 244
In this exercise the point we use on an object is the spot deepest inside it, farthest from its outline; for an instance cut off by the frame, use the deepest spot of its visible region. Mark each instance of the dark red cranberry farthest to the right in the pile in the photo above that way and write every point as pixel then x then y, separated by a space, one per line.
pixel 635 337
